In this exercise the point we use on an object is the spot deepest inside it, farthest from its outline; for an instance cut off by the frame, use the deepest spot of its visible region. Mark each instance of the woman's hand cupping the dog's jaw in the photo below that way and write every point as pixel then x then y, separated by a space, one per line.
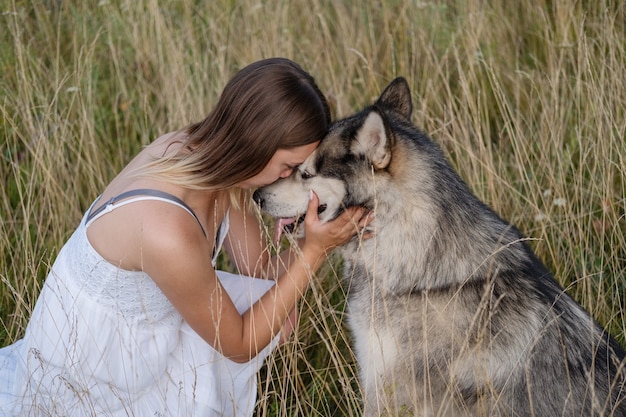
pixel 327 236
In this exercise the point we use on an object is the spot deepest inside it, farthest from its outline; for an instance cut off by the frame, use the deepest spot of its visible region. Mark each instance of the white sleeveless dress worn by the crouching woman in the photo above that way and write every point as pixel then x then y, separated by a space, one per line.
pixel 103 341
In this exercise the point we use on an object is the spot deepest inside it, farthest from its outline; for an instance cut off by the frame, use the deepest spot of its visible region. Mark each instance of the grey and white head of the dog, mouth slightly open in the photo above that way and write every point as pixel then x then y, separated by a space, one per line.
pixel 342 171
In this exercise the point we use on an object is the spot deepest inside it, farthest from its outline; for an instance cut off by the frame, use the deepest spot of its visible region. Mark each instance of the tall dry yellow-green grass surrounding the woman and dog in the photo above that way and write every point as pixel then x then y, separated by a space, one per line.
pixel 527 98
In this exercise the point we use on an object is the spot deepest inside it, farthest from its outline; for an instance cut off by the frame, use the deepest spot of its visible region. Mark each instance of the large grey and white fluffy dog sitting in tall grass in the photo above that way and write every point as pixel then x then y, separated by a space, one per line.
pixel 451 312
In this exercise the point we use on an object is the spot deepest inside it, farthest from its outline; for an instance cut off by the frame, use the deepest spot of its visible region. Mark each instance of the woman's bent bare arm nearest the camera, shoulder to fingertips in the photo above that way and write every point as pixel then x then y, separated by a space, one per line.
pixel 176 256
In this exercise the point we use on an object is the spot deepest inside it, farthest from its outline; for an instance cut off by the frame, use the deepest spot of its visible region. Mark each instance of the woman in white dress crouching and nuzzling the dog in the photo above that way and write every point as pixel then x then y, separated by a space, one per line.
pixel 133 318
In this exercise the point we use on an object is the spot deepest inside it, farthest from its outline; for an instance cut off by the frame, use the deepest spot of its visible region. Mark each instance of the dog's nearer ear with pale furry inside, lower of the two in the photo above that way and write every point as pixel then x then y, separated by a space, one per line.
pixel 373 141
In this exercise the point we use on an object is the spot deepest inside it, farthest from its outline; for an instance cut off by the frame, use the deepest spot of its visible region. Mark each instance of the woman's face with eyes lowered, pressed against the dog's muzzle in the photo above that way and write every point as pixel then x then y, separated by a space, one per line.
pixel 281 165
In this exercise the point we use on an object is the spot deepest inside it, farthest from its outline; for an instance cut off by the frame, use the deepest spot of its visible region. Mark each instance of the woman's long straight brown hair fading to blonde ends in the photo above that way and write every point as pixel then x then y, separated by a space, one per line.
pixel 268 105
